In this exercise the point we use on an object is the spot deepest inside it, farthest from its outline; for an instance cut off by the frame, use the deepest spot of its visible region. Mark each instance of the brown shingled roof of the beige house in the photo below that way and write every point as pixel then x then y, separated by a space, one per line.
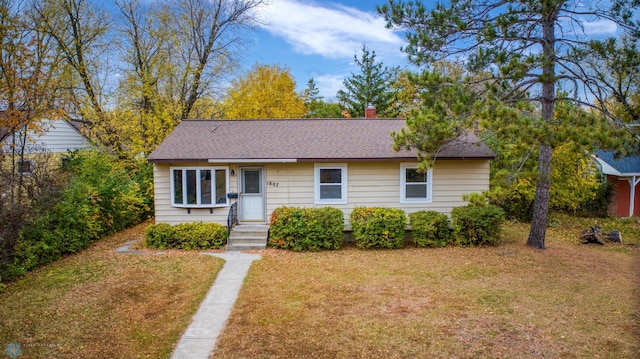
pixel 302 140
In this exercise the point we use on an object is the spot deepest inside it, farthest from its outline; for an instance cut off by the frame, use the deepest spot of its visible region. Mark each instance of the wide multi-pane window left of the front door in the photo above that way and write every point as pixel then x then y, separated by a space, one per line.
pixel 199 186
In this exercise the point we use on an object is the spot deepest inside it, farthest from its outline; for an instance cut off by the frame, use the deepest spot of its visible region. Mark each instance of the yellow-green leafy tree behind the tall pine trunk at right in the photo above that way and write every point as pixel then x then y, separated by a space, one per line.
pixel 574 179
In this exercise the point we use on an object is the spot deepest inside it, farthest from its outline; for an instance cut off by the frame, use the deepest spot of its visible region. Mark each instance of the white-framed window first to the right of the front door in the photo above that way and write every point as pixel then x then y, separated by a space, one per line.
pixel 330 184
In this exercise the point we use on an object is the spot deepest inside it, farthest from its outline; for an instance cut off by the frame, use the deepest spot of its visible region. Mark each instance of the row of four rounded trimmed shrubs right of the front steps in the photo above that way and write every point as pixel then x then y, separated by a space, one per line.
pixel 373 227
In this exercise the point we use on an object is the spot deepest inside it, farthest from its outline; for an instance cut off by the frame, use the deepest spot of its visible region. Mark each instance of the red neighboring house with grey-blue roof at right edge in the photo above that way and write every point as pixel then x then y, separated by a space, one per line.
pixel 624 174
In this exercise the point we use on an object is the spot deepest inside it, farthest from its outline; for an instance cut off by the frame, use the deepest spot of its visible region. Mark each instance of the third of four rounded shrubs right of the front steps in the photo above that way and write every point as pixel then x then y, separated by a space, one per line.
pixel 430 228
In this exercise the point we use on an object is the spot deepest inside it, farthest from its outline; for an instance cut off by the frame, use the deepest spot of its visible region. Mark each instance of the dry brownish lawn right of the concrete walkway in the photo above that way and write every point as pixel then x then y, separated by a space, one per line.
pixel 510 301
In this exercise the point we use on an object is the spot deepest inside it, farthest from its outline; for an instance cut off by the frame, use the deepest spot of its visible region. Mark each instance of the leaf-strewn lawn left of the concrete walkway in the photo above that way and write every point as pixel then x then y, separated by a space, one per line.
pixel 100 304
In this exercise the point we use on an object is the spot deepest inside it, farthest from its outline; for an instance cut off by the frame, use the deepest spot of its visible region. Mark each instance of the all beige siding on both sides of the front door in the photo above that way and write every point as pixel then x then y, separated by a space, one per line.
pixel 369 184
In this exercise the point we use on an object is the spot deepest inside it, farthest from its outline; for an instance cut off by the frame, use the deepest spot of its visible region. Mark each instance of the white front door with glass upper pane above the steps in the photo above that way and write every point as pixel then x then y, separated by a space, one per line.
pixel 251 195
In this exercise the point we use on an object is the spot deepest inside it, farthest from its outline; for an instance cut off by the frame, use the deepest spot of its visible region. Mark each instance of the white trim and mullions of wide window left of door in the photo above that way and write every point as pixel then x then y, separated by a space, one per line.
pixel 198 189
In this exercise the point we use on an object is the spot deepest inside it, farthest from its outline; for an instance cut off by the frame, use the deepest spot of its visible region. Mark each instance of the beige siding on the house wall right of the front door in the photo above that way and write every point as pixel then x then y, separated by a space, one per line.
pixel 377 184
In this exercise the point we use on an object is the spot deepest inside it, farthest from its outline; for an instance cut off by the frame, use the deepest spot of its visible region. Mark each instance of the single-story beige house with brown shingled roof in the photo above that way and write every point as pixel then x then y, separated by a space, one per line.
pixel 203 167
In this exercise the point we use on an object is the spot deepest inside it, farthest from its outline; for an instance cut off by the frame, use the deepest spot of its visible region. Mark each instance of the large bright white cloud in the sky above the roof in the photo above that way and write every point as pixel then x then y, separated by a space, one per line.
pixel 330 30
